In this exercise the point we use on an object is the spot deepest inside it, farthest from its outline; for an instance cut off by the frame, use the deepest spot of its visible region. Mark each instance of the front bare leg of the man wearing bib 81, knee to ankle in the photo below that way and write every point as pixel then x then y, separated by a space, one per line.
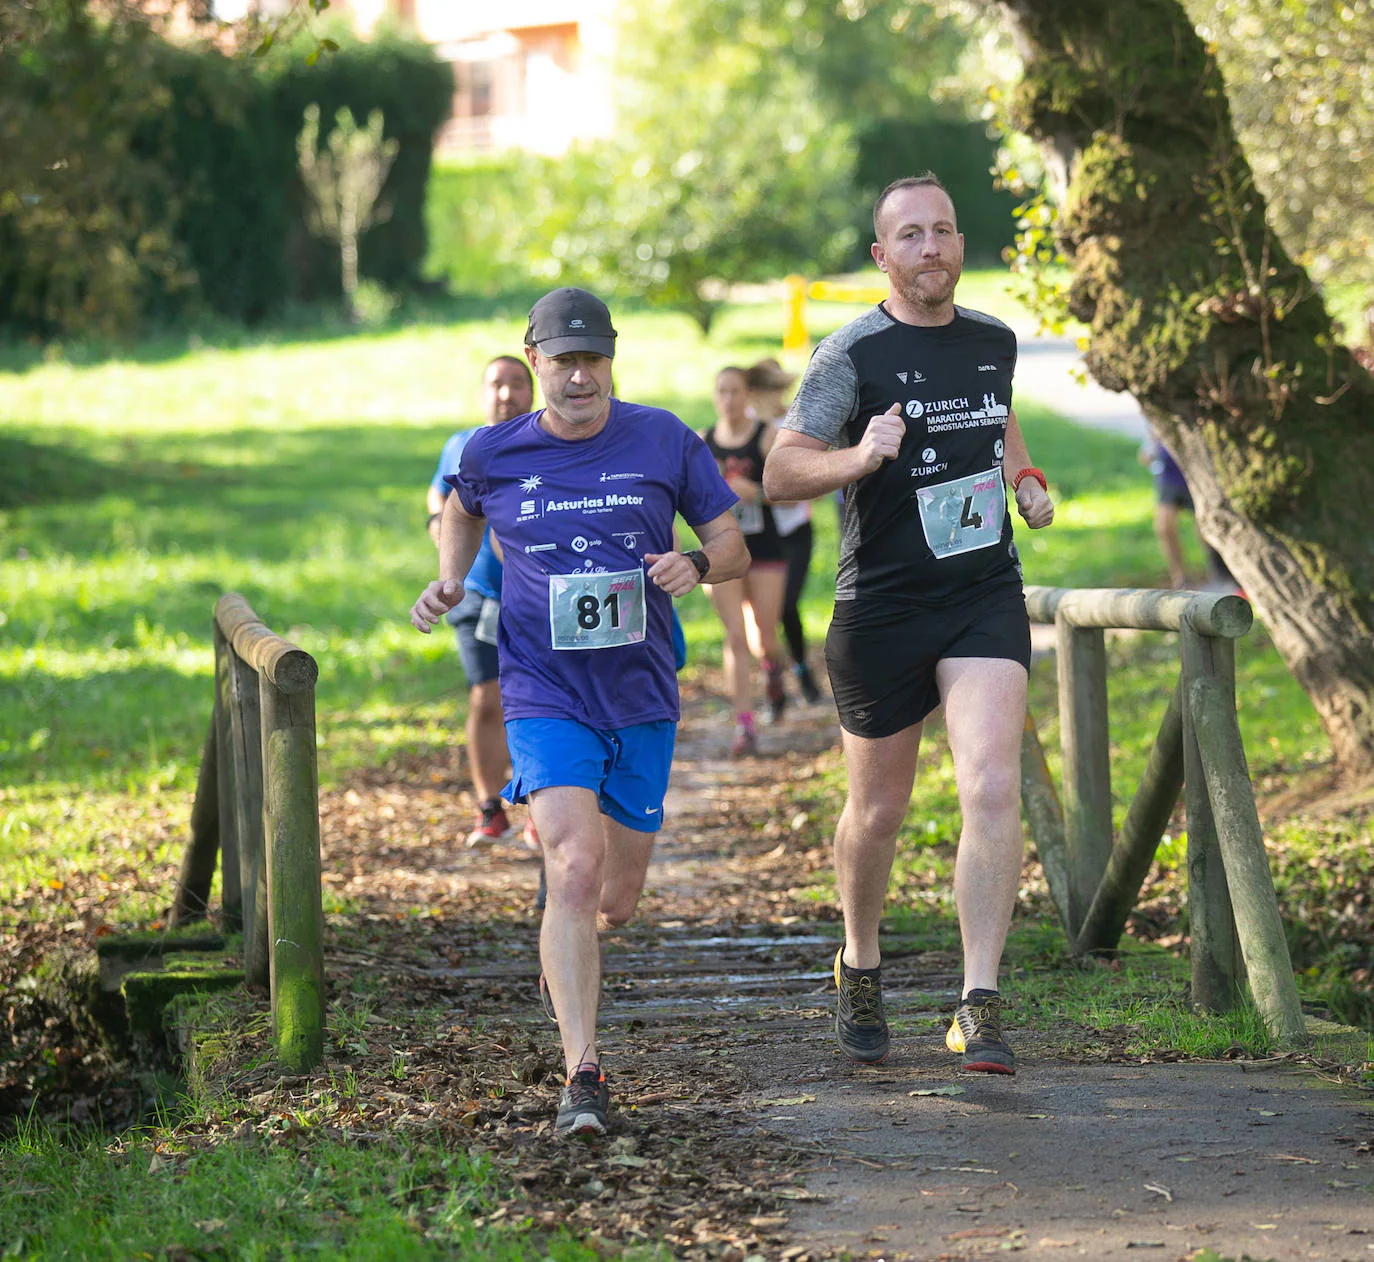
pixel 570 824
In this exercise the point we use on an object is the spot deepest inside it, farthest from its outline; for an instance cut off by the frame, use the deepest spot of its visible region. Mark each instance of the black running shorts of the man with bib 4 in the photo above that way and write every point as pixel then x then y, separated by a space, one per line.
pixel 884 673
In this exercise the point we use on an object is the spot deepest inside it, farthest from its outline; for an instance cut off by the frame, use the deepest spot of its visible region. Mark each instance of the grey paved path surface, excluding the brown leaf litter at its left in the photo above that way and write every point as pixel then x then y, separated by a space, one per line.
pixel 1108 1160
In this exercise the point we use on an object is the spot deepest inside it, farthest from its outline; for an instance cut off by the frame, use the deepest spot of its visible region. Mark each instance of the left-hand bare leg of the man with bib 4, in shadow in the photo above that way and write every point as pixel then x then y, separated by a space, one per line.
pixel 880 773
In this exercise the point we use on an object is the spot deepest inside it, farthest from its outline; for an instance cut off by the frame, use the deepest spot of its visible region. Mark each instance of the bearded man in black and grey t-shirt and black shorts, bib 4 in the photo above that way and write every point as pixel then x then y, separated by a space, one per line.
pixel 909 409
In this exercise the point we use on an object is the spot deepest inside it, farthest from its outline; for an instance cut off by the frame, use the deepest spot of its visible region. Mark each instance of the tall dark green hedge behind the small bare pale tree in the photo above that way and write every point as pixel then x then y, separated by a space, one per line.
pixel 194 157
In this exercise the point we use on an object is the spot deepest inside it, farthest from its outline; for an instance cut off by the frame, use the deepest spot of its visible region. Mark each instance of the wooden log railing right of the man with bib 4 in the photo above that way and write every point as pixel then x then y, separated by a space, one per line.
pixel 1096 879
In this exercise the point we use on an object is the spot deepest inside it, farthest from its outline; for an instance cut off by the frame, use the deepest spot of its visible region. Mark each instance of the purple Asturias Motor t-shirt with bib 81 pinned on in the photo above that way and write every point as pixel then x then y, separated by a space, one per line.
pixel 583 633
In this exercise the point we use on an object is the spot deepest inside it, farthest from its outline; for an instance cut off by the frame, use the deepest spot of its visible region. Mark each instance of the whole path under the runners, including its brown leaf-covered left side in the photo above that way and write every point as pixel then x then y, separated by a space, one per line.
pixel 740 1129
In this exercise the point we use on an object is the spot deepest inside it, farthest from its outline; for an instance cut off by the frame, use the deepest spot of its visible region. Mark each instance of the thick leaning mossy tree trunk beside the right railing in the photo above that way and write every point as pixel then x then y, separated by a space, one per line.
pixel 1196 309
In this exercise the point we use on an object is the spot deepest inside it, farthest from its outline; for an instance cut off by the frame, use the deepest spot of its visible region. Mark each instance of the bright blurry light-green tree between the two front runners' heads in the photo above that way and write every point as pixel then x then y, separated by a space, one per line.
pixel 725 168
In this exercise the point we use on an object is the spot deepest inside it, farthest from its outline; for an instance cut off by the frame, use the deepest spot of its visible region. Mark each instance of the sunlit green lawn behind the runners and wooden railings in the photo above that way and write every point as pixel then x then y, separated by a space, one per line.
pixel 292 467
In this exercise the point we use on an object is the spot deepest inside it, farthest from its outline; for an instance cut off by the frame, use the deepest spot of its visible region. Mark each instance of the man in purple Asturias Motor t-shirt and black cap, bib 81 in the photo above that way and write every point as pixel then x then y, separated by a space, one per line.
pixel 582 497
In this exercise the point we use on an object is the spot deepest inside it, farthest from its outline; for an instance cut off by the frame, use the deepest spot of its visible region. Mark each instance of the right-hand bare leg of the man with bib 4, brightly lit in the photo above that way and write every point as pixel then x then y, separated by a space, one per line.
pixel 984 707
